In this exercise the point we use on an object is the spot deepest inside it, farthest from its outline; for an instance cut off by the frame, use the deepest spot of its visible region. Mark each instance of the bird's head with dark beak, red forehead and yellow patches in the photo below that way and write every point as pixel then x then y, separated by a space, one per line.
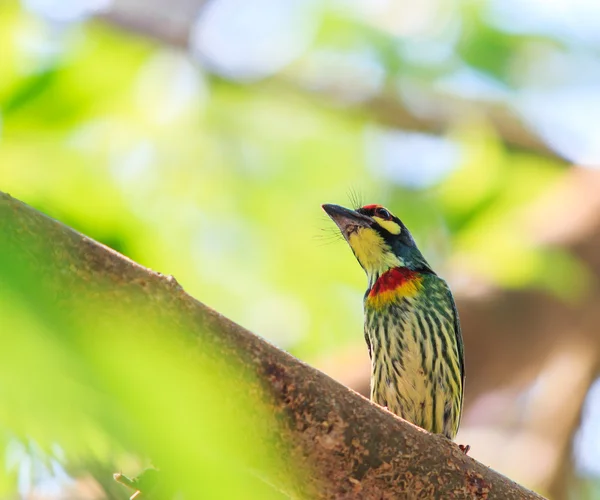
pixel 379 240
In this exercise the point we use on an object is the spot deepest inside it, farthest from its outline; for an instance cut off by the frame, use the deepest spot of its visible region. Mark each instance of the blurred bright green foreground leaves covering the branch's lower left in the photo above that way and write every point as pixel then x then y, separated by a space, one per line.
pixel 84 379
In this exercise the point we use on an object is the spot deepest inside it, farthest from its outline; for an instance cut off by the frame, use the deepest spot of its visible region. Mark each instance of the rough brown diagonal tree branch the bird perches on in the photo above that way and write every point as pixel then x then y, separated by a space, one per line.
pixel 353 448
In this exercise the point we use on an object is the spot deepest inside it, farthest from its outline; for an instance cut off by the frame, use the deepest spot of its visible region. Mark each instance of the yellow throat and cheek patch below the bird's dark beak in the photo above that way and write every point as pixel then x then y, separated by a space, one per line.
pixel 372 252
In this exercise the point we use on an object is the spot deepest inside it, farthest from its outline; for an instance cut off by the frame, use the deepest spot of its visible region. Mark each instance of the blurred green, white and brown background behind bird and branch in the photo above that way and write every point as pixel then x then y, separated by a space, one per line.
pixel 199 138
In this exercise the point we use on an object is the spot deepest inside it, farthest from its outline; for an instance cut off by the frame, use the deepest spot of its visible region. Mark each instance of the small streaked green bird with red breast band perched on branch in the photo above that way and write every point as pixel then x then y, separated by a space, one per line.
pixel 411 322
